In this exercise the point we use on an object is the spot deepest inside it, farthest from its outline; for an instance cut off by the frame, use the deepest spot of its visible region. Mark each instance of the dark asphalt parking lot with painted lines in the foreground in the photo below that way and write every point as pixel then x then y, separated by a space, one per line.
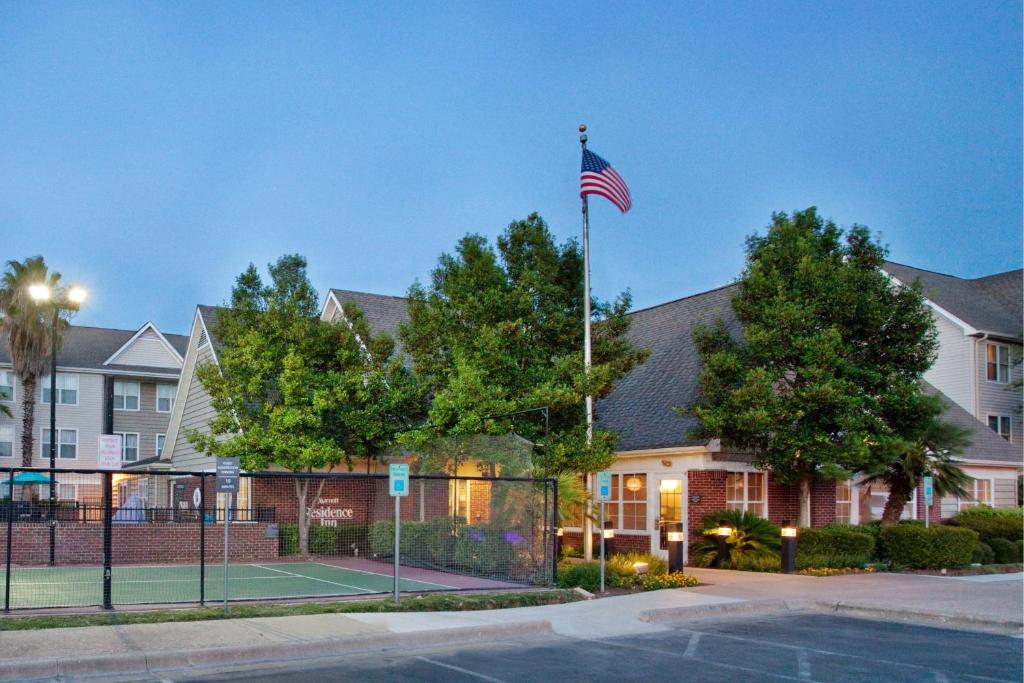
pixel 785 647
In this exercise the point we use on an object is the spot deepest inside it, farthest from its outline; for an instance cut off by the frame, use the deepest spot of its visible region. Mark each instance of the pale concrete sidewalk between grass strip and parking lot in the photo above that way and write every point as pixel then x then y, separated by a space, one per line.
pixel 151 648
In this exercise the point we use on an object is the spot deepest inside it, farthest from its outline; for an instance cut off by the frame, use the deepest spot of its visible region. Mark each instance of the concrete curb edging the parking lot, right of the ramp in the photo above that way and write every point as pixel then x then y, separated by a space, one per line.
pixel 923 618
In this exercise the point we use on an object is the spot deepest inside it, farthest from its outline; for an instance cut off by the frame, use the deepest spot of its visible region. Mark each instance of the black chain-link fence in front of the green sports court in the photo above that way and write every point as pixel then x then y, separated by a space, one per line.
pixel 154 538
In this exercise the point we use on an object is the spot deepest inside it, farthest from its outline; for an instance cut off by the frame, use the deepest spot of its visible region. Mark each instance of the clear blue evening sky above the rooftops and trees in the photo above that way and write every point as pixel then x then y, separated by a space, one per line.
pixel 151 151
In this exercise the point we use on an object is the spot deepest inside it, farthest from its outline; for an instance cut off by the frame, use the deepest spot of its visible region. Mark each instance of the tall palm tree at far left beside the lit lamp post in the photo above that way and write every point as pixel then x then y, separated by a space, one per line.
pixel 26 328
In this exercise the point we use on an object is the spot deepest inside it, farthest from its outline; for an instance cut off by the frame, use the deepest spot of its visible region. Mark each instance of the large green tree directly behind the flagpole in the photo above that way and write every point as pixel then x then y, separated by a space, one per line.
pixel 501 332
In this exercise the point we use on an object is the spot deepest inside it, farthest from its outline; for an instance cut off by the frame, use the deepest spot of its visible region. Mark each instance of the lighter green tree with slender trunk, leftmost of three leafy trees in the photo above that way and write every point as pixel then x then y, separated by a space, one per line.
pixel 297 393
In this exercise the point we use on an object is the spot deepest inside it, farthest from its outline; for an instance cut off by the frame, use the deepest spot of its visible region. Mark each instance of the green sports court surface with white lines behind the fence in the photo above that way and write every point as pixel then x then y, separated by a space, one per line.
pixel 76 587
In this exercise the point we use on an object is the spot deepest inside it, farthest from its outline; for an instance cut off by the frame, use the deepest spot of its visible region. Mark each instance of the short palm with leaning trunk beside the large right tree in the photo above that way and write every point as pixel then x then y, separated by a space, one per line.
pixel 931 453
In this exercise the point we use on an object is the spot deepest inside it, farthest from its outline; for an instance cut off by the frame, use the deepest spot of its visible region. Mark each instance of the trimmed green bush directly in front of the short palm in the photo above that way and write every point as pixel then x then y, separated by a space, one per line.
pixel 934 548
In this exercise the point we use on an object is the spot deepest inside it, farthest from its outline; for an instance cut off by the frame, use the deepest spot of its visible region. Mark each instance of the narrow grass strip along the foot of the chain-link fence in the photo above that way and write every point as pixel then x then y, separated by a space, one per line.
pixel 417 604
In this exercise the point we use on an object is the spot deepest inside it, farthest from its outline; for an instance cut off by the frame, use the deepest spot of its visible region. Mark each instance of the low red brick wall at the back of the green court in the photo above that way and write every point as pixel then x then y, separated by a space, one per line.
pixel 139 544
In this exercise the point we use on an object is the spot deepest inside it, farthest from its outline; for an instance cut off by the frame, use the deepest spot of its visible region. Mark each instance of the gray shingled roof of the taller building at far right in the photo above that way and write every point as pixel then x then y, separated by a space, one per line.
pixel 994 304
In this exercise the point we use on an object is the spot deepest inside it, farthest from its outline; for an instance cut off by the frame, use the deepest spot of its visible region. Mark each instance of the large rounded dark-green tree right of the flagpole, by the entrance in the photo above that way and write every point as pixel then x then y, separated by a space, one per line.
pixel 827 373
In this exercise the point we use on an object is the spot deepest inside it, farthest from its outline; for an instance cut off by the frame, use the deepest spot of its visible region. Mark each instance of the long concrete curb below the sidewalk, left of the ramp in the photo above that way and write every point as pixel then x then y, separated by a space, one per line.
pixel 149 663
